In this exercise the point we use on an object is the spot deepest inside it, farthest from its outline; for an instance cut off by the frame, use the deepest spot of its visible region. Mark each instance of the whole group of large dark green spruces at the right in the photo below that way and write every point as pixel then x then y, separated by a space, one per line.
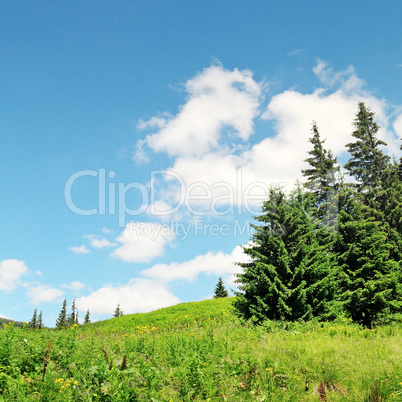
pixel 333 245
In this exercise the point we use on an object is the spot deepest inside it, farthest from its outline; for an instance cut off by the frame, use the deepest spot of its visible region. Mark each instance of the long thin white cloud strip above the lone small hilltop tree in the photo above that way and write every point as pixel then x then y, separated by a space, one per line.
pixel 210 263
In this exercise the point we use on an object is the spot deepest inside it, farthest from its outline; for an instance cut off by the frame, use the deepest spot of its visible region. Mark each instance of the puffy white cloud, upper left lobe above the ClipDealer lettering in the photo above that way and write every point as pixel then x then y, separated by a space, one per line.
pixel 218 101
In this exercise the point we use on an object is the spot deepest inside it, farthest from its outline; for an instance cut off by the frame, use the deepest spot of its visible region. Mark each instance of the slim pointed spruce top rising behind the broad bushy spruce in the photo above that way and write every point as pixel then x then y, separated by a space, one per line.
pixel 322 177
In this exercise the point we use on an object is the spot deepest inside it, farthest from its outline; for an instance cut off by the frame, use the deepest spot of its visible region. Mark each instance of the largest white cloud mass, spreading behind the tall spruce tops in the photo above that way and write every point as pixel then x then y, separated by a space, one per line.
pixel 213 162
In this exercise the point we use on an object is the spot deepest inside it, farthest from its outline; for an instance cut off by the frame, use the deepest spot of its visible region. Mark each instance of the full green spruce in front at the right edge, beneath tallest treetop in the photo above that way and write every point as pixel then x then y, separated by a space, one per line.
pixel 370 283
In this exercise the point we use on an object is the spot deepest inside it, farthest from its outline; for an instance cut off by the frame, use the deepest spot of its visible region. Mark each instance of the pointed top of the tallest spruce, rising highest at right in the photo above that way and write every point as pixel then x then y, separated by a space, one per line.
pixel 367 162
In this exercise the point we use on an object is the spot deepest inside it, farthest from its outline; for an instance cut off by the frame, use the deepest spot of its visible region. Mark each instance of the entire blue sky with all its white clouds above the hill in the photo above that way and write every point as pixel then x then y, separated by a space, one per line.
pixel 138 138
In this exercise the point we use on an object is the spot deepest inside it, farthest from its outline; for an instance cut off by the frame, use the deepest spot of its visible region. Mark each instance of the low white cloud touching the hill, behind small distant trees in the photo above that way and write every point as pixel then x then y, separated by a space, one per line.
pixel 137 296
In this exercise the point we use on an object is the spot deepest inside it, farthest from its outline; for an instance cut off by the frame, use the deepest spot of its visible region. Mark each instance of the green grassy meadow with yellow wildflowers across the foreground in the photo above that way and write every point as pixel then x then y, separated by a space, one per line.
pixel 201 351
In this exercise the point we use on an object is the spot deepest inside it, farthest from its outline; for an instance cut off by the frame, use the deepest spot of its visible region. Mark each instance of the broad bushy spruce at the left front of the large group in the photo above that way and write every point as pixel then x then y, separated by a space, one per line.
pixel 289 276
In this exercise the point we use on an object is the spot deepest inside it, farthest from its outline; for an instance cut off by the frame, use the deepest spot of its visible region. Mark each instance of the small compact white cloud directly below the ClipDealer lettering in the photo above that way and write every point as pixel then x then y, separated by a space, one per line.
pixel 143 241
